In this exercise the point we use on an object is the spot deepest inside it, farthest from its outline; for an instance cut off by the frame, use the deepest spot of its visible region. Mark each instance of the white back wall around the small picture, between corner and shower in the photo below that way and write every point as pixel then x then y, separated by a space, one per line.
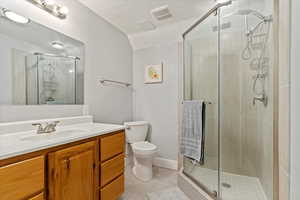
pixel 157 103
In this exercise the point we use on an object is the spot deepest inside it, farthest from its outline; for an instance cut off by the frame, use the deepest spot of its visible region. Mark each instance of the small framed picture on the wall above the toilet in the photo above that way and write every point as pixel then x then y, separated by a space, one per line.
pixel 154 73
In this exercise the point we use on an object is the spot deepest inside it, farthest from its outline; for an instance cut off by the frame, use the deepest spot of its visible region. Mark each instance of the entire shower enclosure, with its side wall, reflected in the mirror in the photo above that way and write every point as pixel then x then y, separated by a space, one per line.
pixel 51 79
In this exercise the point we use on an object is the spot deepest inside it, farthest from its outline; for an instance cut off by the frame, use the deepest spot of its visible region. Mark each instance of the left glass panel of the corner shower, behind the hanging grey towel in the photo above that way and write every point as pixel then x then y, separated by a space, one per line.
pixel 201 83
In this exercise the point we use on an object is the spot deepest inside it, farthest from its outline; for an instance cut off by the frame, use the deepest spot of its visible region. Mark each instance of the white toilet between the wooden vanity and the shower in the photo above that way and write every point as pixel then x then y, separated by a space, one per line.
pixel 143 152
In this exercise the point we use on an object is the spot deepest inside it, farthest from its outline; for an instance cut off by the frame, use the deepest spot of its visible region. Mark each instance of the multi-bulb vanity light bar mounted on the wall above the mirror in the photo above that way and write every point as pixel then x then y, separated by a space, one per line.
pixel 51 7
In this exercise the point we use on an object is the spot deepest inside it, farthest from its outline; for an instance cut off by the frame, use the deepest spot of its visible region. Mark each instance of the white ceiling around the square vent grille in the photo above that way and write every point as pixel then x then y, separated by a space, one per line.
pixel 134 16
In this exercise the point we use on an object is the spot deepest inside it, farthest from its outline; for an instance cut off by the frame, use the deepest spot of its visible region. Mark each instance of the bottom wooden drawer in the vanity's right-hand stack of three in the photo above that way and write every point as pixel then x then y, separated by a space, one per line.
pixel 113 190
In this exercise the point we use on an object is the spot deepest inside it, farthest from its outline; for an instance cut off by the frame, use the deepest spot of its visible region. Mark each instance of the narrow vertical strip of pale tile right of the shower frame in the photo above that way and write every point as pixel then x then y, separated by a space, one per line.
pixel 284 98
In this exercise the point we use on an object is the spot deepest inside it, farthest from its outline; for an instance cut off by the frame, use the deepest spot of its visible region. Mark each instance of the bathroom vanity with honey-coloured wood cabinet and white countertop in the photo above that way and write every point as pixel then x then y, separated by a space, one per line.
pixel 87 165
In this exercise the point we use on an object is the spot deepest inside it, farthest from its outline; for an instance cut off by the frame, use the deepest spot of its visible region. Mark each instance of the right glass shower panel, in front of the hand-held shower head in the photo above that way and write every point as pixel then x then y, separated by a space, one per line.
pixel 246 101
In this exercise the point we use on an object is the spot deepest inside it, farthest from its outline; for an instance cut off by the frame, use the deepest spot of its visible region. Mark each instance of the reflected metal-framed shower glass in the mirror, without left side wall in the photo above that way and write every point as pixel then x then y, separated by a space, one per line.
pixel 56 80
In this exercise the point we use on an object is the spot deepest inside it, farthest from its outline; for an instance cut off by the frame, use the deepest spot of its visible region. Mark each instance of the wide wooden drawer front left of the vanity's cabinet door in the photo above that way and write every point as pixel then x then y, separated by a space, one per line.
pixel 23 179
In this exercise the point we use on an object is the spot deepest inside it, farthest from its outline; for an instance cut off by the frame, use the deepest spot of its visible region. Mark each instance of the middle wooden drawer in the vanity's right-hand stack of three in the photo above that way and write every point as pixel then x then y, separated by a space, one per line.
pixel 112 169
